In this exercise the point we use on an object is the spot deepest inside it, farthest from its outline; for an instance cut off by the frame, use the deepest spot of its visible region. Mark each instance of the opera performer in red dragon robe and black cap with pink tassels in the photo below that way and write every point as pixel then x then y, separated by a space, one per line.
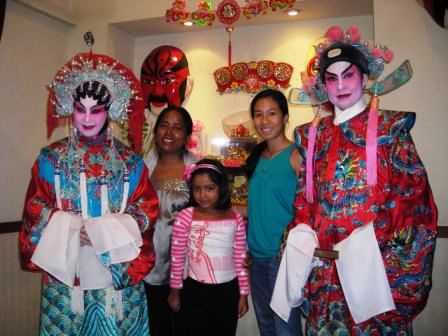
pixel 359 252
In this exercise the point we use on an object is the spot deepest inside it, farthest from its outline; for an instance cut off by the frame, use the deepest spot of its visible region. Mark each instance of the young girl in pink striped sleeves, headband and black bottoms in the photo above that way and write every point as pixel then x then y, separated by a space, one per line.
pixel 212 239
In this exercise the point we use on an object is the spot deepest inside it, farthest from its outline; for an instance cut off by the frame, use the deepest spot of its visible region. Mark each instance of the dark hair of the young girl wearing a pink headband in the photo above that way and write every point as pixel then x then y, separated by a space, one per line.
pixel 219 178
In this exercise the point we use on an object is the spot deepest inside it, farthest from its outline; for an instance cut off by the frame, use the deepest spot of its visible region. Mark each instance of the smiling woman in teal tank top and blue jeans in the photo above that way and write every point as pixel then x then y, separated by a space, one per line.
pixel 272 169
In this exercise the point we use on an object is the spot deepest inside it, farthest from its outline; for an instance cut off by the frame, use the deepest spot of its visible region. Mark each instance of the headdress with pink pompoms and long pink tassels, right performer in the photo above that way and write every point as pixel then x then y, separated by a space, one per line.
pixel 338 46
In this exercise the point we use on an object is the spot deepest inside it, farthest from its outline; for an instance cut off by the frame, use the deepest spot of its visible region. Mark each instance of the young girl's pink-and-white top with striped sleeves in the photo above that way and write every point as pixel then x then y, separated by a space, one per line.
pixel 208 251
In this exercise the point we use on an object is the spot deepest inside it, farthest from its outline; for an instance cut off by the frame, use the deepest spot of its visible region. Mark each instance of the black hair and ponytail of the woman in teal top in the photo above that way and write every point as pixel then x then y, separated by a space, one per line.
pixel 282 102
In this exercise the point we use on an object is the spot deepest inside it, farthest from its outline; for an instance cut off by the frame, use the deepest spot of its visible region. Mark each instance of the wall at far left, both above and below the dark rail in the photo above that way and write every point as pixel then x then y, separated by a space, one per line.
pixel 32 48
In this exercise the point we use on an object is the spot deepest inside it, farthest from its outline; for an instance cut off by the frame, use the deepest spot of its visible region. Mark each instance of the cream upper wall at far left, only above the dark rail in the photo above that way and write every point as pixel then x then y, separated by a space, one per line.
pixel 33 46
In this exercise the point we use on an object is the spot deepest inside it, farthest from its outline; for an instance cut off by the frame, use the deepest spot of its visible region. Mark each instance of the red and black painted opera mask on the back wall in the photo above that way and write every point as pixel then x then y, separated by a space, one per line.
pixel 164 76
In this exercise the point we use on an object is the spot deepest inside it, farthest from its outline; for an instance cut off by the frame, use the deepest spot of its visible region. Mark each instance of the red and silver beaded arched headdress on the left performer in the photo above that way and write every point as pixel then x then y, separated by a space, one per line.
pixel 124 88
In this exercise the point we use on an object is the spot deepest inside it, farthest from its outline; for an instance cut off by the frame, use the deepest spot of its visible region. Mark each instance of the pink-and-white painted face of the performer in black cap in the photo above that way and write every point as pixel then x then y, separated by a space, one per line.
pixel 344 83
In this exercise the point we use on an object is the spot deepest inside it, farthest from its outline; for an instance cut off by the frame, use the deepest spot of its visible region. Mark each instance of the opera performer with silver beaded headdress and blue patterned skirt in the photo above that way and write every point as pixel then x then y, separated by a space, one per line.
pixel 90 208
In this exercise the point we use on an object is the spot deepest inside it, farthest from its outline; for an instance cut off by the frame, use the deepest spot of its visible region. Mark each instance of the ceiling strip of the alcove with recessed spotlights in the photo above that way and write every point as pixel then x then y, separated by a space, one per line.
pixel 308 10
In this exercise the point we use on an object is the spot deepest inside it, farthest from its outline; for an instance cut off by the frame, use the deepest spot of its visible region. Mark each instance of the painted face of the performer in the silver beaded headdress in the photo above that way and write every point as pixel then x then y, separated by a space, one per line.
pixel 88 117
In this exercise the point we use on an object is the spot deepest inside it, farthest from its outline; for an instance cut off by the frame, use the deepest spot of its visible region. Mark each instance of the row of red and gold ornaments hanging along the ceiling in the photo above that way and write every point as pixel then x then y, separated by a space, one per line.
pixel 228 11
